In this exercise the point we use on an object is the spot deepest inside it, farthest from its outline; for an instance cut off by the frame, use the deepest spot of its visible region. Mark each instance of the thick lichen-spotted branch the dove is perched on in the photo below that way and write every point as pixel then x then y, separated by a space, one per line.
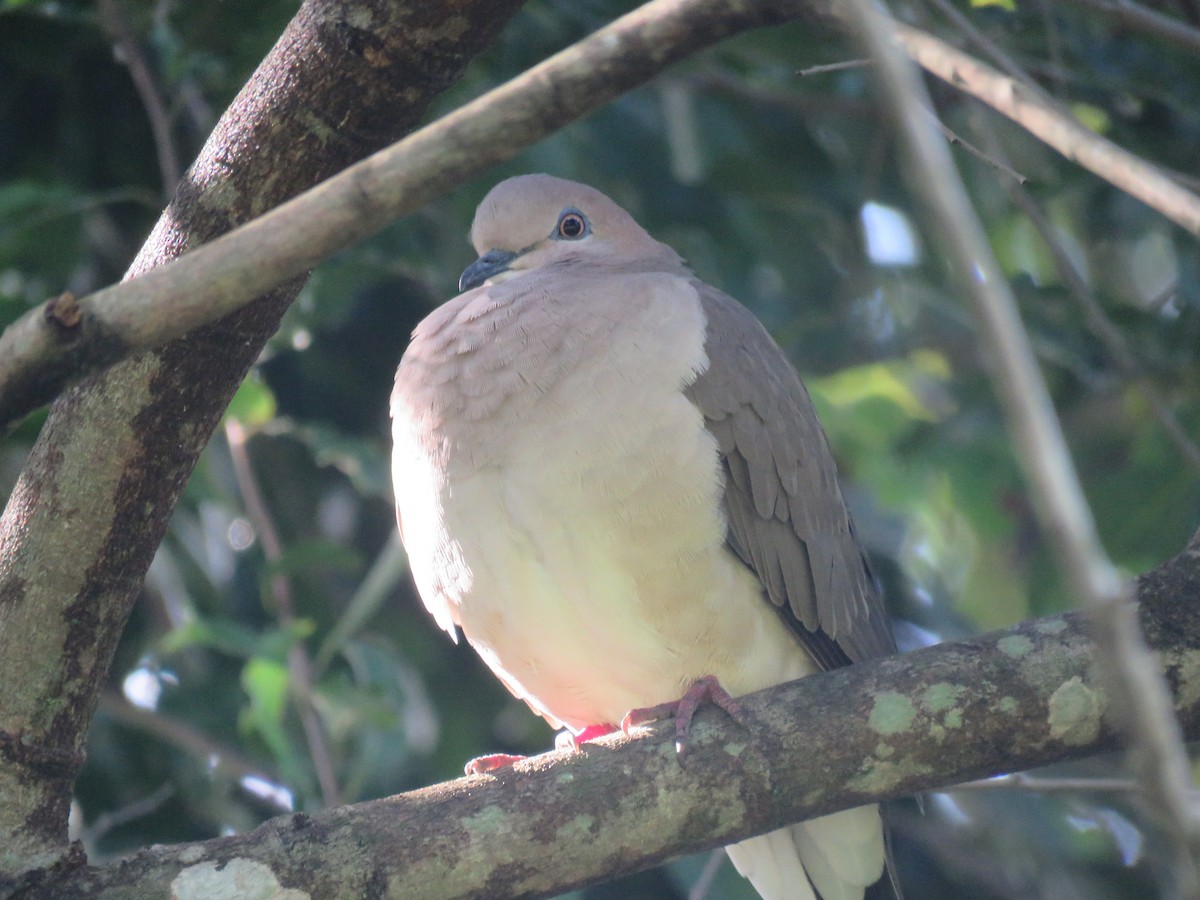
pixel 1011 700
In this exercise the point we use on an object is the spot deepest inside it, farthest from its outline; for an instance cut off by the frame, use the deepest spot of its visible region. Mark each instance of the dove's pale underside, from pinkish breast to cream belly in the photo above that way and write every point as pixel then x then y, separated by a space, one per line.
pixel 560 500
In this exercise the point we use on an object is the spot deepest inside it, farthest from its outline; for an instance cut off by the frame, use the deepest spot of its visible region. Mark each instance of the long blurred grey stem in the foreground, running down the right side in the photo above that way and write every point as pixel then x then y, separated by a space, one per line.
pixel 1139 694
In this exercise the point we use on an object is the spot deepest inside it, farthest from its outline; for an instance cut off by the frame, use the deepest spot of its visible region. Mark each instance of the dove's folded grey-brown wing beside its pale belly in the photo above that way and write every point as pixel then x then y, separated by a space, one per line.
pixel 787 517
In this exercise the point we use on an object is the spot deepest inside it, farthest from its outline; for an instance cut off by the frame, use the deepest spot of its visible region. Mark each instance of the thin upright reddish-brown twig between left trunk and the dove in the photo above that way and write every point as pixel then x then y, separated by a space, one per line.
pixel 299 664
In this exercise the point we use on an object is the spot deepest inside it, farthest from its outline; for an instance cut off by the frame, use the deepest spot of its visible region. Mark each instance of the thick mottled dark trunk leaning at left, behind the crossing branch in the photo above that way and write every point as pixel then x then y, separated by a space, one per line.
pixel 346 79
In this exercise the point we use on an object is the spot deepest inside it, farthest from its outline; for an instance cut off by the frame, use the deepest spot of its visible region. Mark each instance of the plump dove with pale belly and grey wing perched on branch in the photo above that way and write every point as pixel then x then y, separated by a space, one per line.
pixel 611 479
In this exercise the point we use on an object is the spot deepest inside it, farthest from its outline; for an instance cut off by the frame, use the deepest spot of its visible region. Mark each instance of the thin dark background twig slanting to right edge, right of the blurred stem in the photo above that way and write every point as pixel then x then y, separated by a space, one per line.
pixel 1097 320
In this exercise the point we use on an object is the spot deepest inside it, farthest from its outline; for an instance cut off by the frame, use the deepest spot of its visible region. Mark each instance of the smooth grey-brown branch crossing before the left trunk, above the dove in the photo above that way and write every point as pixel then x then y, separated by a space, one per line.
pixel 38 357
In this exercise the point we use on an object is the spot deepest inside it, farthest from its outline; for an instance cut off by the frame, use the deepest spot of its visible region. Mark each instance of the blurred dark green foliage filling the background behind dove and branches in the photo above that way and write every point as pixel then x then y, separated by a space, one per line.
pixel 764 181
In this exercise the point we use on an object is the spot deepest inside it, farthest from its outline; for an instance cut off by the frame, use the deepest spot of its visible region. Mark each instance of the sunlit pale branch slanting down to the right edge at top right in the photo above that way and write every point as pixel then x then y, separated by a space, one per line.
pixel 1101 157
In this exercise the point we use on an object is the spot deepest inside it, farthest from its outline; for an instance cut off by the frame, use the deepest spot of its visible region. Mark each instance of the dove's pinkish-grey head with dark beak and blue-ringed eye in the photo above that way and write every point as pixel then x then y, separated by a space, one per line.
pixel 533 221
